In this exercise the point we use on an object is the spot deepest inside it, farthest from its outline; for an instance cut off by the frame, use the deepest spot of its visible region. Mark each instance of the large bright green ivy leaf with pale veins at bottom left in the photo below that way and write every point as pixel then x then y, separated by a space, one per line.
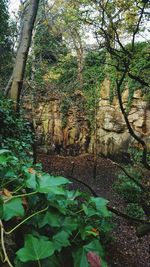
pixel 35 249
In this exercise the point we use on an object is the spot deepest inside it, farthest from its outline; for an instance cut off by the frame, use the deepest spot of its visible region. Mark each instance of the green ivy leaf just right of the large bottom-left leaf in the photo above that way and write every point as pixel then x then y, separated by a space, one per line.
pixel 60 240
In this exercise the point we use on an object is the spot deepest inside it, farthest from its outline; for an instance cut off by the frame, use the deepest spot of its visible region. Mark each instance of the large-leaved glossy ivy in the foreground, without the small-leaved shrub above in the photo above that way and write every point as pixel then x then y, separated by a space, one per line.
pixel 50 218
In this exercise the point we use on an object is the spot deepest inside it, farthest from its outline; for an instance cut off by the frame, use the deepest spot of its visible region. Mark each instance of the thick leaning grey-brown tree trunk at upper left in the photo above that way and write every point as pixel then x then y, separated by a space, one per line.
pixel 22 53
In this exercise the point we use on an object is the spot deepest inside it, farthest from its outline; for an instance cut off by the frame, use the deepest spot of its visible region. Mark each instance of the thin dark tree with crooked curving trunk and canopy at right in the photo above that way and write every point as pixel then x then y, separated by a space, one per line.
pixel 117 26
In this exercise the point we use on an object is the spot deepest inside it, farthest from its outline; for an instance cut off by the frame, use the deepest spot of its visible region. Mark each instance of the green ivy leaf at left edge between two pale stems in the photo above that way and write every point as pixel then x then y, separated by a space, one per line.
pixel 13 208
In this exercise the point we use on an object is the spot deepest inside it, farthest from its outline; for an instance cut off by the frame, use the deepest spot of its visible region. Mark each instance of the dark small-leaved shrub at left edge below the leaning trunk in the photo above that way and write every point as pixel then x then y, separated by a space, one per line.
pixel 15 132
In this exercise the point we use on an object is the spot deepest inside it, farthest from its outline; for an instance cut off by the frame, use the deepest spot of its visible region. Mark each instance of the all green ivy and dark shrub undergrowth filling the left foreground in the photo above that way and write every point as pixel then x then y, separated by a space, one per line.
pixel 42 222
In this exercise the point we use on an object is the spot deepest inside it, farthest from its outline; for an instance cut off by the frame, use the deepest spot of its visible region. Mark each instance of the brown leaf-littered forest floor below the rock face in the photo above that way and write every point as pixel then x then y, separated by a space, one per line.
pixel 126 249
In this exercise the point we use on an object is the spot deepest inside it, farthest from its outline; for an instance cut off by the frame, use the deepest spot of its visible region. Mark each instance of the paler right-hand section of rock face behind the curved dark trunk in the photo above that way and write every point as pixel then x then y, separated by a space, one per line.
pixel 113 137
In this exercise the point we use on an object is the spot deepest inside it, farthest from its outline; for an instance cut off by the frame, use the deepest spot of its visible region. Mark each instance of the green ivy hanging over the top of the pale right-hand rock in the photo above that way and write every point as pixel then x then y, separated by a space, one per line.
pixel 139 68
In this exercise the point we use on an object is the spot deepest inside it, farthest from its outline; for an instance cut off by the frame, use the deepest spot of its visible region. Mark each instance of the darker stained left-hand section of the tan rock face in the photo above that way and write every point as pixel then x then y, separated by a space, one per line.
pixel 52 137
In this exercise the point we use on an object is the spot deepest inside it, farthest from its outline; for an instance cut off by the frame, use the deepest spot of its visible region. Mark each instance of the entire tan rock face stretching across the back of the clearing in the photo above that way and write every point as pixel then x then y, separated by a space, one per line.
pixel 112 136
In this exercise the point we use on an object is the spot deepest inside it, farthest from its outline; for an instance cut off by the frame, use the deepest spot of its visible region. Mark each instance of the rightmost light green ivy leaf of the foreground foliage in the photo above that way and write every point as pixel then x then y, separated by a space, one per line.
pixel 101 206
